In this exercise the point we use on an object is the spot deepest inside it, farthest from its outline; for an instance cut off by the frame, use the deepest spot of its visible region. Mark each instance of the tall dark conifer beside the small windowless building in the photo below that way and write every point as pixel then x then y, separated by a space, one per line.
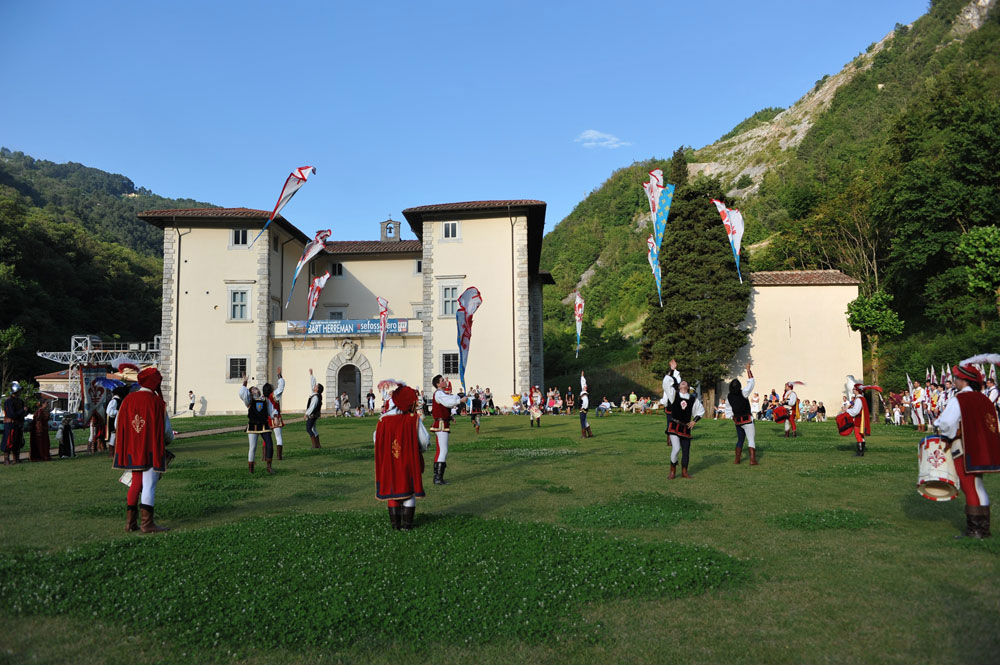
pixel 704 303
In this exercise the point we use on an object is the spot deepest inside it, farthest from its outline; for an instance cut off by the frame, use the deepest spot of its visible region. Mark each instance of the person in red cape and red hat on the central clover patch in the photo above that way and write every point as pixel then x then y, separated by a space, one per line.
pixel 399 464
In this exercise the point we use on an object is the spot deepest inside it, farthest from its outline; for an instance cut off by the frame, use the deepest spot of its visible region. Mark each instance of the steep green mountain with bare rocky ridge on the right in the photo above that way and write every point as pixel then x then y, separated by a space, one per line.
pixel 878 171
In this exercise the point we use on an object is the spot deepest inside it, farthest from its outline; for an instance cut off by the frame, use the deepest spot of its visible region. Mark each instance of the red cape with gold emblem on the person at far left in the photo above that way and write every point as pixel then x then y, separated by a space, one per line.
pixel 139 443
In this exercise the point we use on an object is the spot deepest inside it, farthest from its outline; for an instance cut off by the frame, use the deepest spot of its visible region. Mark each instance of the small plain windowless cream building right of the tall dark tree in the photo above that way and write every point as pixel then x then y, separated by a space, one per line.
pixel 799 332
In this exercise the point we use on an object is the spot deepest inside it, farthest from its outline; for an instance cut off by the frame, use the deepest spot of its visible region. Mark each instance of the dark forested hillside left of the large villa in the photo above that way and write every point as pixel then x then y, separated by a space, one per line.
pixel 73 258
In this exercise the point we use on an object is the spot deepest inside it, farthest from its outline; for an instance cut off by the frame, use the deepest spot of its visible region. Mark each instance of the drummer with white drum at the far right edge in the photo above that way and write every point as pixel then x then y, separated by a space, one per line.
pixel 971 420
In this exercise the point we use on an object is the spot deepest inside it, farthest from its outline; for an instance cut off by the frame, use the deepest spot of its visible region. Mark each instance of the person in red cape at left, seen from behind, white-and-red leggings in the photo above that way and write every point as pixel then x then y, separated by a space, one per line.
pixel 142 435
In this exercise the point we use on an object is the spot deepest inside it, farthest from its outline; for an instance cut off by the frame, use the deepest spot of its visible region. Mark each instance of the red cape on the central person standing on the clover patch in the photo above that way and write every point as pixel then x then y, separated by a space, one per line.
pixel 398 462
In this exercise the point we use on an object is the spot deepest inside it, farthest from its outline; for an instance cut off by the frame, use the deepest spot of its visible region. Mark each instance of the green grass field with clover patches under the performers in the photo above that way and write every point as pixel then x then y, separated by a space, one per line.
pixel 543 548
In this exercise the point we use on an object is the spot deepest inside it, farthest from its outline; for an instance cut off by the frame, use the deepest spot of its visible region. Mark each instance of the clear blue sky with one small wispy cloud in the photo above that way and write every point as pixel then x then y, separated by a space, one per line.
pixel 399 104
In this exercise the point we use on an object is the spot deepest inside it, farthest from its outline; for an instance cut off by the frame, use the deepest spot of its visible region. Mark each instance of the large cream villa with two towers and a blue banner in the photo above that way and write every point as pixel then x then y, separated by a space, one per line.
pixel 224 308
